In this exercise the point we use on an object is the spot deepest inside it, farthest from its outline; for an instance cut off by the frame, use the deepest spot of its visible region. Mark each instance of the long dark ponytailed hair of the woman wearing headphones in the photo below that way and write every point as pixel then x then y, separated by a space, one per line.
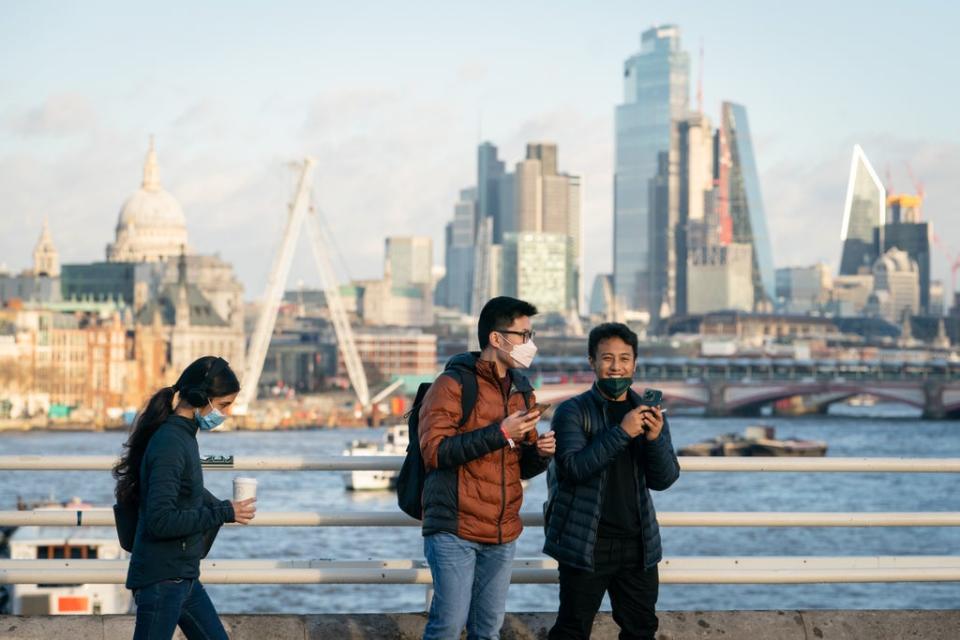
pixel 207 377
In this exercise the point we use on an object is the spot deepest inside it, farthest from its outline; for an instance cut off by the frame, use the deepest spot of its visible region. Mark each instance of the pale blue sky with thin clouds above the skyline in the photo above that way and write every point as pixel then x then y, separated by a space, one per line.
pixel 392 98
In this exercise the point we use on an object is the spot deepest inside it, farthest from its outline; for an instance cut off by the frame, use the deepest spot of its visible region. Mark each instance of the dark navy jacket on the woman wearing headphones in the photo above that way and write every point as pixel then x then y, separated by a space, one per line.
pixel 175 509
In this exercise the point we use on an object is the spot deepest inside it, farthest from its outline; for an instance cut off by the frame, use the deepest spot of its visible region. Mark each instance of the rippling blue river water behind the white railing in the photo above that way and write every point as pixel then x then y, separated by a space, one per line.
pixel 874 431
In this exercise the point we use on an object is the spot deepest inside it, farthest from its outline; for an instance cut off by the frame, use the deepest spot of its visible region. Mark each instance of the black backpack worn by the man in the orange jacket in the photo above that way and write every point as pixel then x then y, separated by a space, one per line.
pixel 412 473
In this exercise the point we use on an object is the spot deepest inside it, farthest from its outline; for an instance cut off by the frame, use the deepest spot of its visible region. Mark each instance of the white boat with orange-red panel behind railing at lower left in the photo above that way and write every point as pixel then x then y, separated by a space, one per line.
pixel 69 543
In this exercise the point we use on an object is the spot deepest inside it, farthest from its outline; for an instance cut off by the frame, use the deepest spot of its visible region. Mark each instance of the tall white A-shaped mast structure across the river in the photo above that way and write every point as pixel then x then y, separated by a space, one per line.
pixel 301 211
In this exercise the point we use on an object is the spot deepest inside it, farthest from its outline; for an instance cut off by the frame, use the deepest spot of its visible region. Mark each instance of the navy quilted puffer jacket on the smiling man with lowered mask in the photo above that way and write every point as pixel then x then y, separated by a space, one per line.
pixel 578 475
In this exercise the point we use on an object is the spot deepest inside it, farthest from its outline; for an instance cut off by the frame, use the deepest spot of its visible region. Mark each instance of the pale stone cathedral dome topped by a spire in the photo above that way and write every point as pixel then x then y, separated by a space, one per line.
pixel 151 226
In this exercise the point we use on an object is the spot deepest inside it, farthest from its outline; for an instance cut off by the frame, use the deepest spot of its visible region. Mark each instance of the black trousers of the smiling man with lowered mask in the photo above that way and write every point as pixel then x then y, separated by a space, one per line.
pixel 618 568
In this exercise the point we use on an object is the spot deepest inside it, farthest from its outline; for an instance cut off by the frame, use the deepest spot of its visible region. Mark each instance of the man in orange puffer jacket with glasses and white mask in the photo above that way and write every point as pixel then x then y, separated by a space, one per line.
pixel 472 492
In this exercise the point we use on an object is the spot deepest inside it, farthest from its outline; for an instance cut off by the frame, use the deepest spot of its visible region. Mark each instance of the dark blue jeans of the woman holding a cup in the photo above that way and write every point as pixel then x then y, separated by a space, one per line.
pixel 168 603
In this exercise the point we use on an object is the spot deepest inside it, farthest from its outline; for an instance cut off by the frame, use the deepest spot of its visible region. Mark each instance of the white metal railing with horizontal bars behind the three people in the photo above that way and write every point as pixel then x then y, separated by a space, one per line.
pixel 697 570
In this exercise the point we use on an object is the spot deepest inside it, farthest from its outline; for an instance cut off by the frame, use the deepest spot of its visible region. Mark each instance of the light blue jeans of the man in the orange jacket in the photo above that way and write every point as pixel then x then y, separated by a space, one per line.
pixel 470 582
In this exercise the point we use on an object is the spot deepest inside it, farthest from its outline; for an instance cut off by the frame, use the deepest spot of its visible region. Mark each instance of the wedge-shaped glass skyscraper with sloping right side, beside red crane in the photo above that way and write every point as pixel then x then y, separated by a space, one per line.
pixel 746 203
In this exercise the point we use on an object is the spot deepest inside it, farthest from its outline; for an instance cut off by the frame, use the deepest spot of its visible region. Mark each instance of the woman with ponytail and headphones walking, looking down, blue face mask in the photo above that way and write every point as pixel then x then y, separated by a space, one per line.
pixel 160 475
